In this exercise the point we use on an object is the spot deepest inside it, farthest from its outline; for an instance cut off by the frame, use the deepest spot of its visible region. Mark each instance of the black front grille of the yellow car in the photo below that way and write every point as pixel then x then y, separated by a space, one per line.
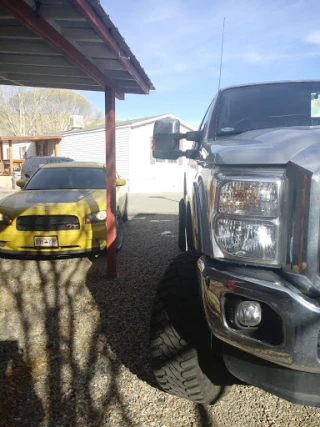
pixel 47 222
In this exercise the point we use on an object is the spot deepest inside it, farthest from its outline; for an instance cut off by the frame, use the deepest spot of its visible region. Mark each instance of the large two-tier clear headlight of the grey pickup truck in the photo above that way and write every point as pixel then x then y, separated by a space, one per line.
pixel 246 217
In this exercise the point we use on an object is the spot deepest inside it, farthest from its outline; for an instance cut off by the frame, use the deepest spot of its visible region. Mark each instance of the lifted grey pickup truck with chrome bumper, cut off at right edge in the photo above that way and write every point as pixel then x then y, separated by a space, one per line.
pixel 242 302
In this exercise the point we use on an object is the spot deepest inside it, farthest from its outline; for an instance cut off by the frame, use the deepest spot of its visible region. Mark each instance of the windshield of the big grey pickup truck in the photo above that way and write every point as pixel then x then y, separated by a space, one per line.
pixel 268 106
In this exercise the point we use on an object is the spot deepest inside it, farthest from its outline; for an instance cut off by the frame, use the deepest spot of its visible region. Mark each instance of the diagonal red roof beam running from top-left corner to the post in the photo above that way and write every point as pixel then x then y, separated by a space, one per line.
pixel 25 14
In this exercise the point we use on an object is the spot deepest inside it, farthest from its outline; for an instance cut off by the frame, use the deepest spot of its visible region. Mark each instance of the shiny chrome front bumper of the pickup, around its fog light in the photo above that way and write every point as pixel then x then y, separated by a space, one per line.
pixel 298 316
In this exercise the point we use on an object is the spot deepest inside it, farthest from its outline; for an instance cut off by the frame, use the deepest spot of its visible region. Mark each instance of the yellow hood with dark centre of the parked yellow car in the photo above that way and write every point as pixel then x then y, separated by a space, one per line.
pixel 72 200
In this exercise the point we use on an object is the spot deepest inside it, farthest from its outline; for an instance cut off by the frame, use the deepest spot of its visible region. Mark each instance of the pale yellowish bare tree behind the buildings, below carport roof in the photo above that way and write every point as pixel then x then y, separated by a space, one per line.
pixel 25 111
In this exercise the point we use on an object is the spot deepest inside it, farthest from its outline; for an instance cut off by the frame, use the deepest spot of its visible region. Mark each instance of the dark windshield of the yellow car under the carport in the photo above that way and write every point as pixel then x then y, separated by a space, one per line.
pixel 65 178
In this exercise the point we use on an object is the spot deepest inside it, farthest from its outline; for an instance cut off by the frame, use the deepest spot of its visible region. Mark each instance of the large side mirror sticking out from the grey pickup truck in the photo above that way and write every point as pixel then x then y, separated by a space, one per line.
pixel 166 136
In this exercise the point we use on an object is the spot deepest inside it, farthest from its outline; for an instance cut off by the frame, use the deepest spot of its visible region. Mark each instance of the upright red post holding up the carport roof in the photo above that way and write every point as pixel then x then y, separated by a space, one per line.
pixel 111 181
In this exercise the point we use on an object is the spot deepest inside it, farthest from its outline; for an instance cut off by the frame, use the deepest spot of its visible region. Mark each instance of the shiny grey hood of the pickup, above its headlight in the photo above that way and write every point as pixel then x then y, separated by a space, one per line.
pixel 276 146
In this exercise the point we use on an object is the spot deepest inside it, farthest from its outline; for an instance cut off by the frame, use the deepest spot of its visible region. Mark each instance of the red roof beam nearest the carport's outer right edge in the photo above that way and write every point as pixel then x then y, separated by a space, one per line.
pixel 93 18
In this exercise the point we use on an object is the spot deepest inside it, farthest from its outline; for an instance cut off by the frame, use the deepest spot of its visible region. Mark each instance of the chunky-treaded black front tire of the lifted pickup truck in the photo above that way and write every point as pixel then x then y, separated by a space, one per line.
pixel 183 362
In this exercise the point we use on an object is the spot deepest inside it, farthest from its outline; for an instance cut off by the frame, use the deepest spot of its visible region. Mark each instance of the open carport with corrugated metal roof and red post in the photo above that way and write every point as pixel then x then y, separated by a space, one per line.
pixel 72 44
